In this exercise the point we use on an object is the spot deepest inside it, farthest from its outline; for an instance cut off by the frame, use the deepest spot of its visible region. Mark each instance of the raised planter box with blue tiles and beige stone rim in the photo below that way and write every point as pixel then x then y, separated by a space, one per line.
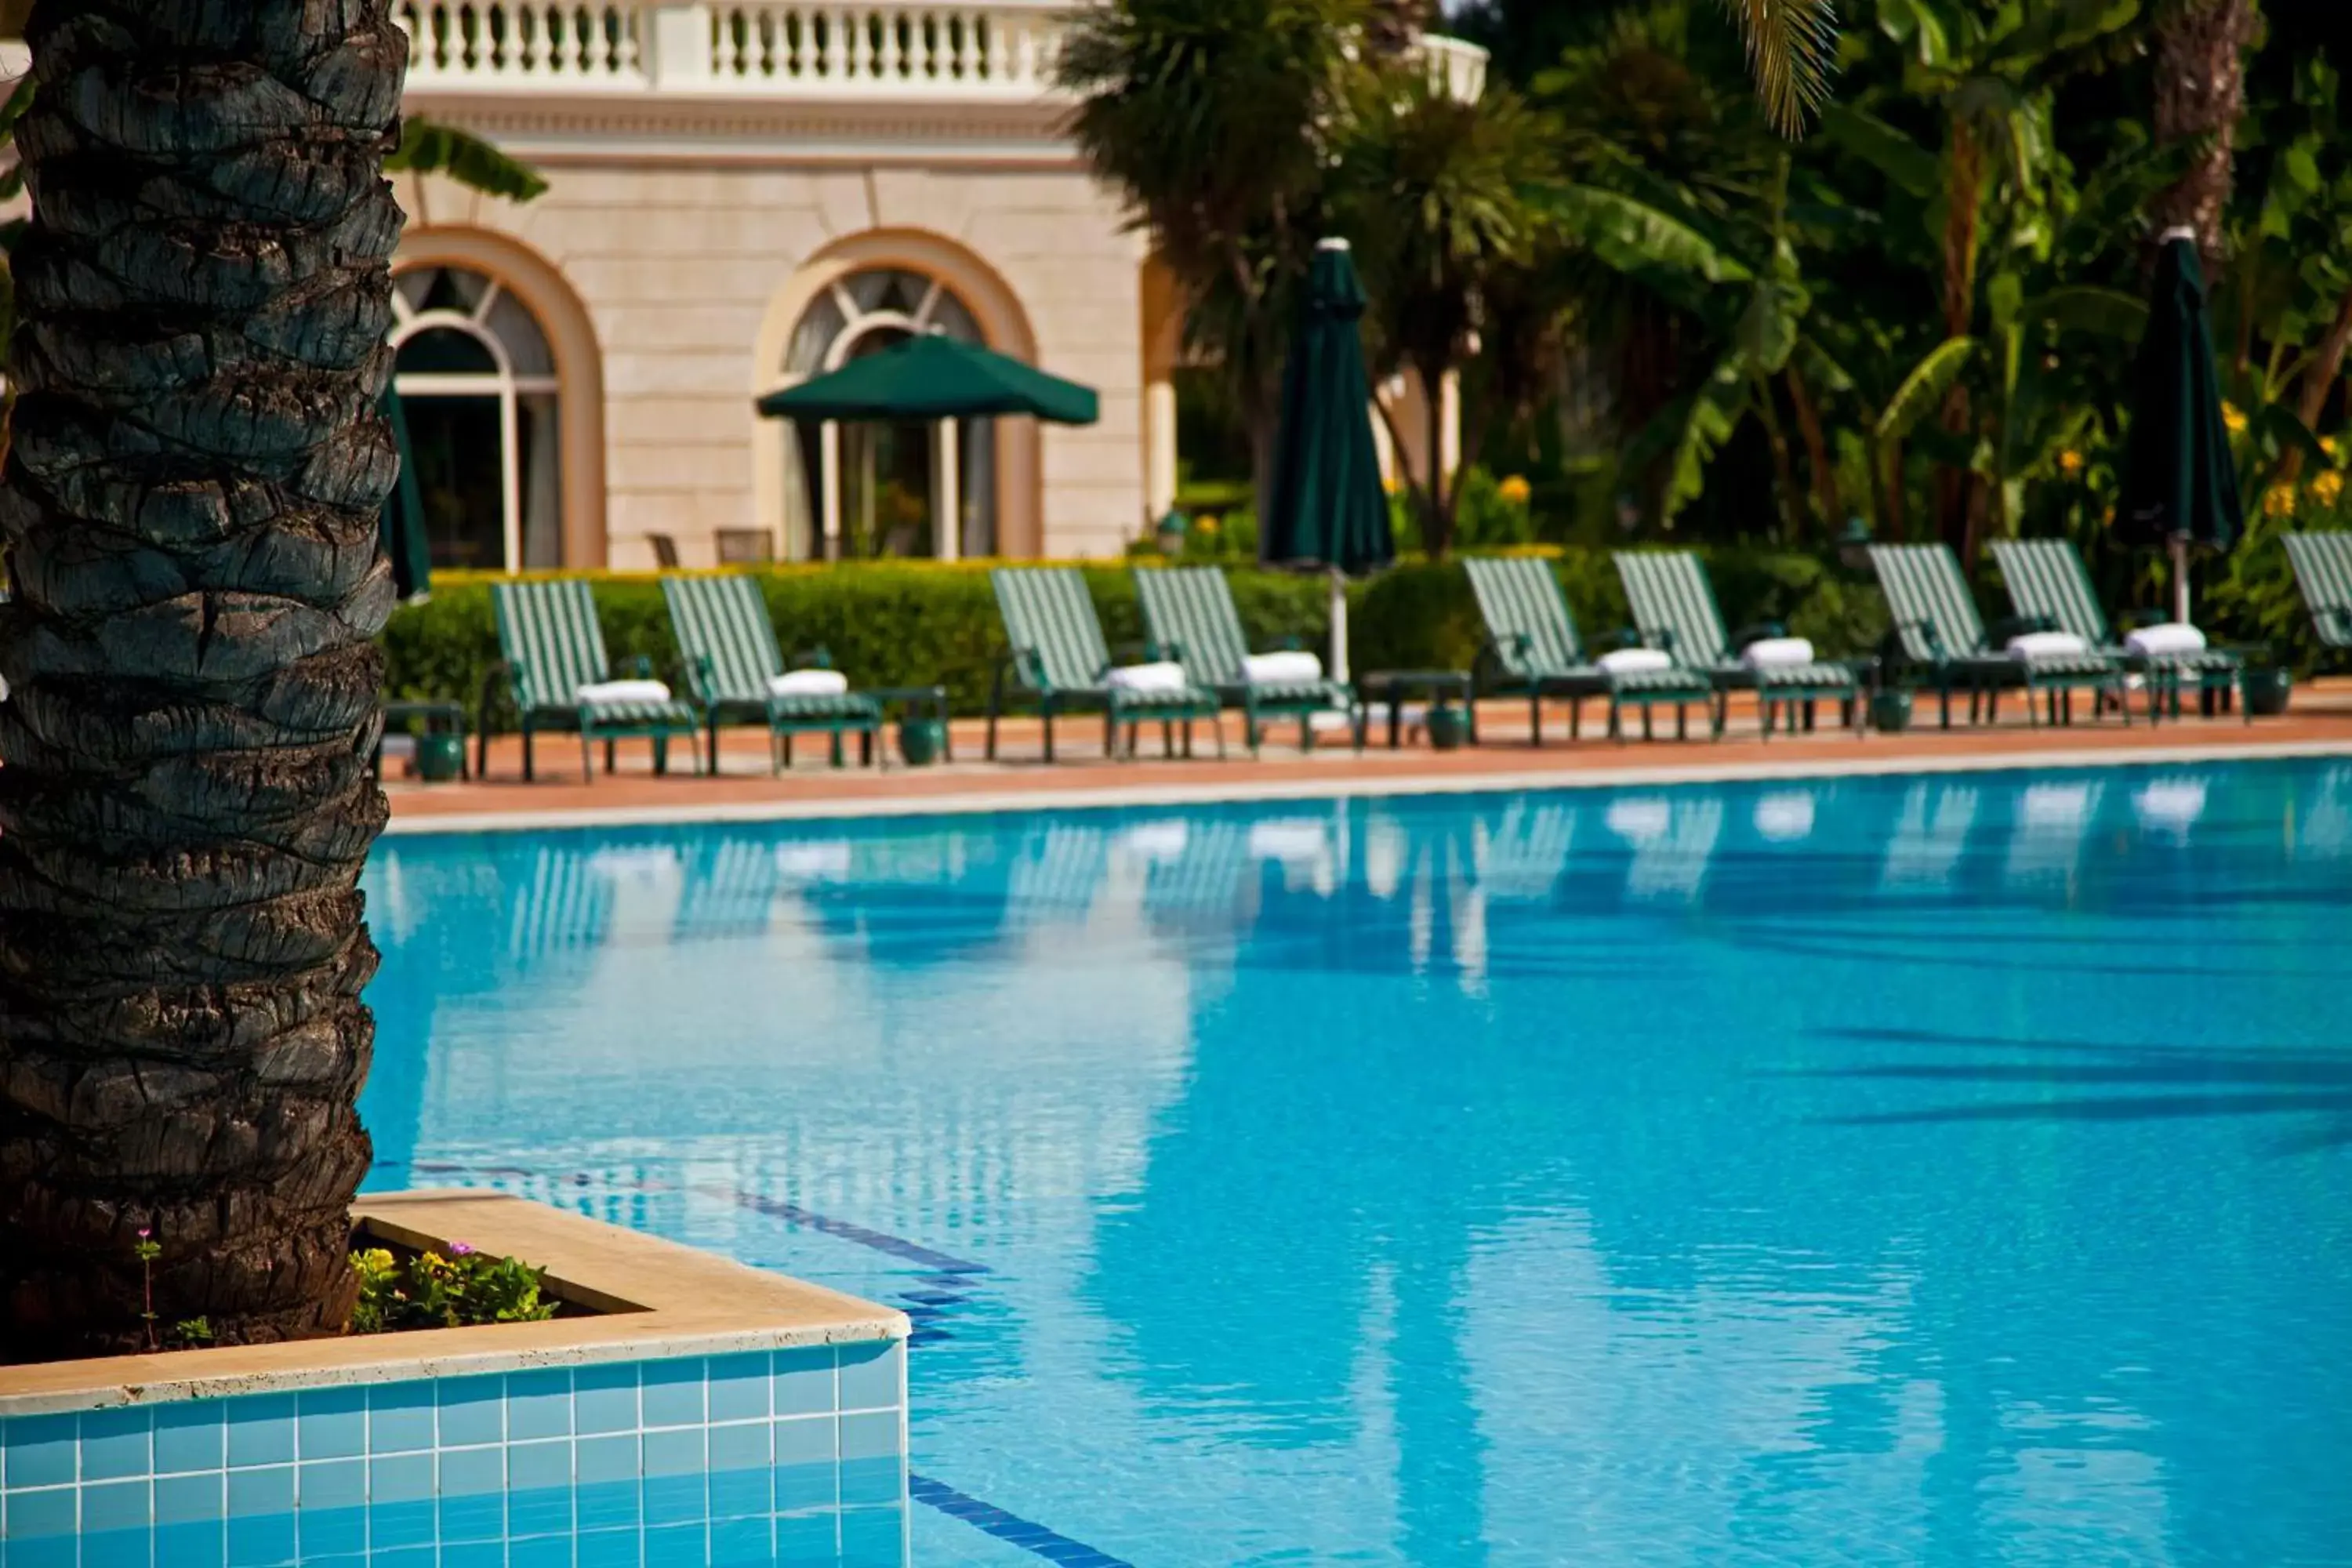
pixel 702 1412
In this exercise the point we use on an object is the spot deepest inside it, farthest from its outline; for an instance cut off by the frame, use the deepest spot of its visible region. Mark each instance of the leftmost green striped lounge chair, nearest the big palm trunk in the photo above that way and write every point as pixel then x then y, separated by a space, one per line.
pixel 549 648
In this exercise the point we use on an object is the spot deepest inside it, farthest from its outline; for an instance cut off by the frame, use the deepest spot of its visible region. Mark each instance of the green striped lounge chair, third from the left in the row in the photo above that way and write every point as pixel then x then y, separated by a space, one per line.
pixel 1057 659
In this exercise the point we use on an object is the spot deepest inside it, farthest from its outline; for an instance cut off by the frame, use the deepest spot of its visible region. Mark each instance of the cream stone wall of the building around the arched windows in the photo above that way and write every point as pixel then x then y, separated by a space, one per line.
pixel 676 272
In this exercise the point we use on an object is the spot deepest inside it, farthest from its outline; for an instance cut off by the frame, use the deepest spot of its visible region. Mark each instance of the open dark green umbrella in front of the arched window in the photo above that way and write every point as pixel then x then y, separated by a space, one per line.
pixel 935 377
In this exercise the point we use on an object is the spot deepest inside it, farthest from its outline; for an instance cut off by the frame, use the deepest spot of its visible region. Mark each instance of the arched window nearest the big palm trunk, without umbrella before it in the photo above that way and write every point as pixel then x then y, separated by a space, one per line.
pixel 479 387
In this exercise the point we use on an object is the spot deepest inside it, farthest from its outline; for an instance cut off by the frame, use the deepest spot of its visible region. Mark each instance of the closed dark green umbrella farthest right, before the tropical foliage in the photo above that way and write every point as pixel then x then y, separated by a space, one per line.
pixel 2179 478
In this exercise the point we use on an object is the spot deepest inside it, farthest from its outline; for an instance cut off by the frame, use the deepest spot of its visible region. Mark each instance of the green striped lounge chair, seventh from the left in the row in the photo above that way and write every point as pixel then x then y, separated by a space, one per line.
pixel 1944 641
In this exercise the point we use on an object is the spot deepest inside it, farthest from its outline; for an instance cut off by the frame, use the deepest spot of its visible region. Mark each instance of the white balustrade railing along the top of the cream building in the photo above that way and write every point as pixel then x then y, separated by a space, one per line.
pixel 773 48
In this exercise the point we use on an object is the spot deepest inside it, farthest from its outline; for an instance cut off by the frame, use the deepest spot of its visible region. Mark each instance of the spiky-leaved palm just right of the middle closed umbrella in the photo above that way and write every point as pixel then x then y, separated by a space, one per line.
pixel 1438 199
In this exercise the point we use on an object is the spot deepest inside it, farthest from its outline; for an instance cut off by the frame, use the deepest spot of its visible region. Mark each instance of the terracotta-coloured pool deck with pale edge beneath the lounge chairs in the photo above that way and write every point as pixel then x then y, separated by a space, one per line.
pixel 2320 725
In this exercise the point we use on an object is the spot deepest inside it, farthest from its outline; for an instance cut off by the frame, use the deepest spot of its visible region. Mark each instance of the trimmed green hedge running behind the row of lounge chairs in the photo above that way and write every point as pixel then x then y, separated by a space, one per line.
pixel 902 624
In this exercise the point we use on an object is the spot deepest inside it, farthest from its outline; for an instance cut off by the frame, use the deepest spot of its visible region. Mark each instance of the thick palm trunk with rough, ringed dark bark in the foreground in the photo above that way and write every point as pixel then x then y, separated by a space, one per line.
pixel 192 511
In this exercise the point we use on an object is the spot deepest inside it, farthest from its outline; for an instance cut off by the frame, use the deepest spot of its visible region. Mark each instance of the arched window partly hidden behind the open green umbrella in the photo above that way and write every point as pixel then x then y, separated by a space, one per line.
pixel 886 478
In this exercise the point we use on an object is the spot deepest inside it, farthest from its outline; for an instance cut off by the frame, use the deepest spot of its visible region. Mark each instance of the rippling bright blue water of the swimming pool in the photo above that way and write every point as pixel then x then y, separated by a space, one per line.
pixel 1866 1172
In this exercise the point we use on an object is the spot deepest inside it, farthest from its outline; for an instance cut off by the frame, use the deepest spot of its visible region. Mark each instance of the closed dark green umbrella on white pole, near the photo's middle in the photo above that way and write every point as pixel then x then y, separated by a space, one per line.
pixel 1328 507
